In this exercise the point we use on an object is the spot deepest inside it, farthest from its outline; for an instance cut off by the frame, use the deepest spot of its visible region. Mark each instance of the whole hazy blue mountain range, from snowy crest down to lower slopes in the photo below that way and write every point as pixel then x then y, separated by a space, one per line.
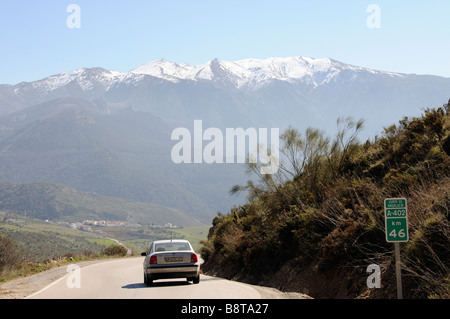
pixel 109 132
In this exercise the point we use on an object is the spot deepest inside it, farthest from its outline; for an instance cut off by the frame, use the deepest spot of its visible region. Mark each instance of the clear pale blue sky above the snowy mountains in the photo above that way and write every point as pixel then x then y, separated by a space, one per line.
pixel 42 38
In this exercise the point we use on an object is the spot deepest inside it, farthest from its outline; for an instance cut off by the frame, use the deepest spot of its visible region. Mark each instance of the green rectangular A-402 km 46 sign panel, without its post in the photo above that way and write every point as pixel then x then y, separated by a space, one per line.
pixel 396 219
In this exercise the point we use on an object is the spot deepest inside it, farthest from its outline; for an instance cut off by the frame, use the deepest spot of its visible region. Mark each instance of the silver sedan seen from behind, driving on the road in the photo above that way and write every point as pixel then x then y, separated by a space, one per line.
pixel 171 258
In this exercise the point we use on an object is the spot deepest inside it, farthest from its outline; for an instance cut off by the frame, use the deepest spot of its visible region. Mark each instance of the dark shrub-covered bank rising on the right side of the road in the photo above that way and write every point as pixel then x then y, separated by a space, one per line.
pixel 318 223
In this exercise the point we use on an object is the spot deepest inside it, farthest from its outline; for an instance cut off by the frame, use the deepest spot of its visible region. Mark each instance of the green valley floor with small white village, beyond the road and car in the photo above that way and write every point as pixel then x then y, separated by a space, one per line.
pixel 40 240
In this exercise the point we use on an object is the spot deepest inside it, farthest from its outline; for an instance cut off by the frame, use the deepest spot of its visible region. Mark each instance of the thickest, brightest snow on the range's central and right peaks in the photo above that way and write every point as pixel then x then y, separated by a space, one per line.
pixel 252 73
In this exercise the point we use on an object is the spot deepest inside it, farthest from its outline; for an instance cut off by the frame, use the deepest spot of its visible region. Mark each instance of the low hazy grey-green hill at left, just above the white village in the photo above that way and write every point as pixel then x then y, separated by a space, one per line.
pixel 58 202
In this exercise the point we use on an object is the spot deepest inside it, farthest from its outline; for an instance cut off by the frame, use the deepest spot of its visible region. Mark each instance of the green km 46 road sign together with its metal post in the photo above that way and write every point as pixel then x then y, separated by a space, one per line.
pixel 396 225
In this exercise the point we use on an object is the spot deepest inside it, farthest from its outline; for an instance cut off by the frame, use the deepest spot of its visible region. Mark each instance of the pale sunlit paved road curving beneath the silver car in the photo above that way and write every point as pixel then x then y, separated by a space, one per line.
pixel 123 279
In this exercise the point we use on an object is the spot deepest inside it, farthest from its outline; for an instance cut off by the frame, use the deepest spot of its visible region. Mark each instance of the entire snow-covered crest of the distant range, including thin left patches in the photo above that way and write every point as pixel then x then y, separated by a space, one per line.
pixel 246 74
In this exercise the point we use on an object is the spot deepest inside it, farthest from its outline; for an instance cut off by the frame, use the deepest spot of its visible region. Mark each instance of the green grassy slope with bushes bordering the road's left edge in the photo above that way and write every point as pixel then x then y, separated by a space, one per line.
pixel 30 246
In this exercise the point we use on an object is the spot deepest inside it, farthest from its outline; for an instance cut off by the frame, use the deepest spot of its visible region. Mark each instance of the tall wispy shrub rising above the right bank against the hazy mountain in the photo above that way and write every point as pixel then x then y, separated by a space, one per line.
pixel 310 160
